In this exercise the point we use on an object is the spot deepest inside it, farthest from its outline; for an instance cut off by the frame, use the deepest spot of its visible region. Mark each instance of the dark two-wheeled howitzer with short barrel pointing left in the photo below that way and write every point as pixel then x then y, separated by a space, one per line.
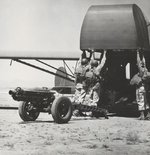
pixel 34 101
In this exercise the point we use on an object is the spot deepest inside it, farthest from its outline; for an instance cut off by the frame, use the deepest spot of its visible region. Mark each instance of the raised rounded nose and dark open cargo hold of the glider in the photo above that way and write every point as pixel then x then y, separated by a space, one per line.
pixel 121 30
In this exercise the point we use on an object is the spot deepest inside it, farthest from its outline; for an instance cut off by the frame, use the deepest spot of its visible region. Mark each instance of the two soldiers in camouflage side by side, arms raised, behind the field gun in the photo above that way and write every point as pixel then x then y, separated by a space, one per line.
pixel 88 79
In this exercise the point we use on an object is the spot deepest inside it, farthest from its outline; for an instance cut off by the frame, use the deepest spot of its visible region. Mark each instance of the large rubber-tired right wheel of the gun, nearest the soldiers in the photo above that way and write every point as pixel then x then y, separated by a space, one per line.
pixel 61 110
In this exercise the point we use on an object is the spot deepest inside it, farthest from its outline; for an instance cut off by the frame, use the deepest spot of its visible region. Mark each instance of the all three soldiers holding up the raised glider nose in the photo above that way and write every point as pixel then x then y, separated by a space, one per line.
pixel 88 82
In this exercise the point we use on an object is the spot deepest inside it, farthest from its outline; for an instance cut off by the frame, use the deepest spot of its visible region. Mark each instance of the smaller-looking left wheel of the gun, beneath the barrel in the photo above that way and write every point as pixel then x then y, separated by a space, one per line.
pixel 27 111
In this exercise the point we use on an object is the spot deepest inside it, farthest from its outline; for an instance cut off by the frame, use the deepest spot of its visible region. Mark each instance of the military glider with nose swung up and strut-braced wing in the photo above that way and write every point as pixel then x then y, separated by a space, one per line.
pixel 121 30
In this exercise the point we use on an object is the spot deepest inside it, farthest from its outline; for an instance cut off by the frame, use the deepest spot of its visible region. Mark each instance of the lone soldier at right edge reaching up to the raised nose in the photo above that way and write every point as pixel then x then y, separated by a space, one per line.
pixel 140 80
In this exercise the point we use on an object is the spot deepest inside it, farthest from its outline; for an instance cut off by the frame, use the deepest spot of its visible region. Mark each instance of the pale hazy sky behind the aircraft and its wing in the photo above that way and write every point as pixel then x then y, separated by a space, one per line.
pixel 40 26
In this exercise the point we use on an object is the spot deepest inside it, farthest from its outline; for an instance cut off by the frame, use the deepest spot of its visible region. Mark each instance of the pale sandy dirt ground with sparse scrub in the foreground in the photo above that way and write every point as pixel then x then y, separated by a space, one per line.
pixel 81 136
